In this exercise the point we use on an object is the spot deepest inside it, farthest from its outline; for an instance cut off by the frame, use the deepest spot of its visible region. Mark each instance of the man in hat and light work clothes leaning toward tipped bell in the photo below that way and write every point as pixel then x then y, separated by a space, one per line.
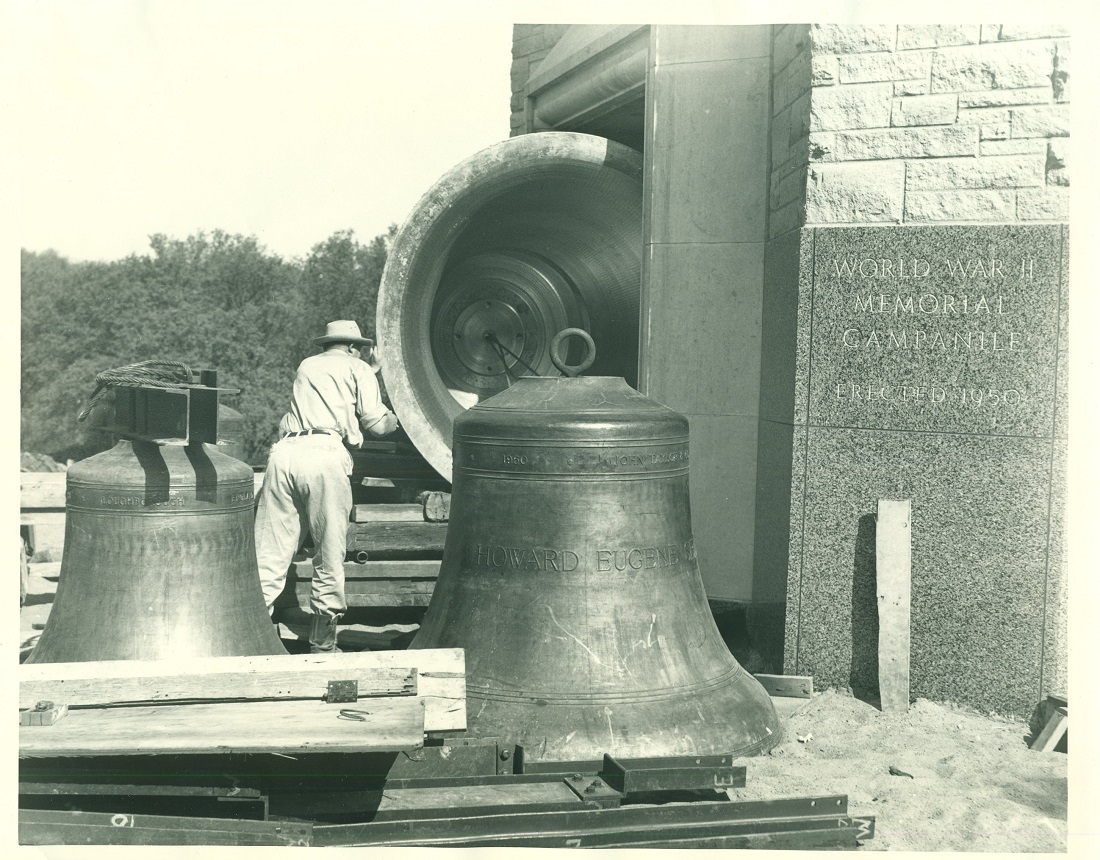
pixel 306 487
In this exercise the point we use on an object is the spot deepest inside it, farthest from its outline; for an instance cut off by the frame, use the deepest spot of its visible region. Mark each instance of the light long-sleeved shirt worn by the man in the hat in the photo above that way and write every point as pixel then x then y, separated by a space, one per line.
pixel 338 392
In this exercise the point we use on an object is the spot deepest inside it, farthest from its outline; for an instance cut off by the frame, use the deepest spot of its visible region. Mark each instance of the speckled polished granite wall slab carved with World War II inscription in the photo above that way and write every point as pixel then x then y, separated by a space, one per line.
pixel 929 366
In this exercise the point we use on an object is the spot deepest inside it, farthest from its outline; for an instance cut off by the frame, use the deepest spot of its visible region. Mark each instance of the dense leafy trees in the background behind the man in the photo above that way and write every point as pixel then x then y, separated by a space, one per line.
pixel 211 301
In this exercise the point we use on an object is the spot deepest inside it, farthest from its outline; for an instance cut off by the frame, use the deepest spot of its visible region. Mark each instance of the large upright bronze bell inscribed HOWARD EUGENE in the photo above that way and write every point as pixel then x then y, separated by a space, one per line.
pixel 570 579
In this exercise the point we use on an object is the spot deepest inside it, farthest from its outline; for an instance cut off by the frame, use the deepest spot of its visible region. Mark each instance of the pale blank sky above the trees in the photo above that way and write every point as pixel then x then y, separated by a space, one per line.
pixel 282 120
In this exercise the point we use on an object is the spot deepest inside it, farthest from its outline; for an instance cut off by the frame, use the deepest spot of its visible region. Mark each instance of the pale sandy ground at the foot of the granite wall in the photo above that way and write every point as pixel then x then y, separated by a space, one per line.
pixel 963 781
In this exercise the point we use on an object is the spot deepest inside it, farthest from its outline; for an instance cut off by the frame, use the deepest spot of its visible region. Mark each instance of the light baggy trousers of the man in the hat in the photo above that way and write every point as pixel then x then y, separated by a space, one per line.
pixel 305 490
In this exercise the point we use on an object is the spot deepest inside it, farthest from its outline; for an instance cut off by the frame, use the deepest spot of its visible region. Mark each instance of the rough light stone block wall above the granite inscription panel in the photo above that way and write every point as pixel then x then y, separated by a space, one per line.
pixel 920 124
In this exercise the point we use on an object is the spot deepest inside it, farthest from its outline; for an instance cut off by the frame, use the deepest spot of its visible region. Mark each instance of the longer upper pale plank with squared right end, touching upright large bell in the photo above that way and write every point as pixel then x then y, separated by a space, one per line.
pixel 441 675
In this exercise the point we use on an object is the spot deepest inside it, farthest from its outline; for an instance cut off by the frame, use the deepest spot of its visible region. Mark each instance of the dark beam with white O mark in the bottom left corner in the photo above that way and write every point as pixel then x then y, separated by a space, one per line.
pixel 76 828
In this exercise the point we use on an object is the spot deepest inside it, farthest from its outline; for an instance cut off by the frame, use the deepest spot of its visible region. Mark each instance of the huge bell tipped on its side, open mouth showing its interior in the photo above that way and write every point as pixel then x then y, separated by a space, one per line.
pixel 532 236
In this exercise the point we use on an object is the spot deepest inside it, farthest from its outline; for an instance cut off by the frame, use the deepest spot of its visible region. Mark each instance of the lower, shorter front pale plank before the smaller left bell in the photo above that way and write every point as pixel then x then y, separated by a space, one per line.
pixel 285 727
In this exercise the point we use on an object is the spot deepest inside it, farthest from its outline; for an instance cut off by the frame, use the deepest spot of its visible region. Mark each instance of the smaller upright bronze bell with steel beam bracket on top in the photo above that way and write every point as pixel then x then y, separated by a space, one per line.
pixel 160 559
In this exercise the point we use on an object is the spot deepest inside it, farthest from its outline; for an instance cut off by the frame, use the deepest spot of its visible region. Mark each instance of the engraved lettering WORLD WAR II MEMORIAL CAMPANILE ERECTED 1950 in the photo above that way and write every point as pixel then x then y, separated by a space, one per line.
pixel 956 310
